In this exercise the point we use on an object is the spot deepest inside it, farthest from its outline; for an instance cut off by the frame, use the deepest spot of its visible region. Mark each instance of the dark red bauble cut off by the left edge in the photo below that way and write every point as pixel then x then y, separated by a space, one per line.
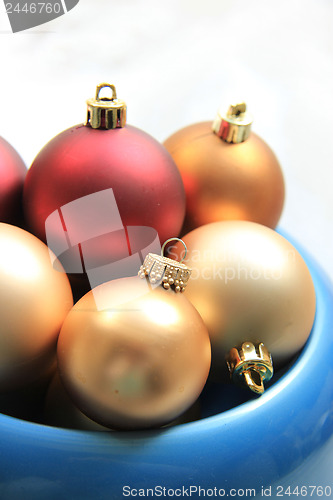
pixel 12 174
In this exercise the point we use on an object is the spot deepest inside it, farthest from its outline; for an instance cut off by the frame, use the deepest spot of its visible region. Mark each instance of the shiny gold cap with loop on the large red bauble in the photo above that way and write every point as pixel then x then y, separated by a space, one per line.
pixel 106 112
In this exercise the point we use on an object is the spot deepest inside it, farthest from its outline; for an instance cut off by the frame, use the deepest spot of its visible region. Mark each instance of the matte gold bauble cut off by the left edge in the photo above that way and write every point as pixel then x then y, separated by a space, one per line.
pixel 34 300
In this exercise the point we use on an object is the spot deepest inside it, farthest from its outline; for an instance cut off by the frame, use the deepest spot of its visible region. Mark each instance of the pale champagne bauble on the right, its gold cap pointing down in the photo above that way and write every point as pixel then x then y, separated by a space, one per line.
pixel 254 293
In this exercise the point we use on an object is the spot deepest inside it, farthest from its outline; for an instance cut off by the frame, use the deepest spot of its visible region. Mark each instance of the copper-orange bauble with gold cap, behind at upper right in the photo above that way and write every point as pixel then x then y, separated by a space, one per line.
pixel 229 173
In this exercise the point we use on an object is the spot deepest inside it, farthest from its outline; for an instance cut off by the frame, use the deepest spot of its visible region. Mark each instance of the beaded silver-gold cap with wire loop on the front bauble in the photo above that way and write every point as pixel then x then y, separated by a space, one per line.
pixel 167 272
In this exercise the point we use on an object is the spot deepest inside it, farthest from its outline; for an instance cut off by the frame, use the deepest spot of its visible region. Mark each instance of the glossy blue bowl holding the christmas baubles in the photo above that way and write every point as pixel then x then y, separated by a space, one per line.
pixel 260 442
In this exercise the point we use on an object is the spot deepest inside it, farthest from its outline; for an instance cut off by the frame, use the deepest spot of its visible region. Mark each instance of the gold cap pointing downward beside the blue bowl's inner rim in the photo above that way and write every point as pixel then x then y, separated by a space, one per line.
pixel 250 364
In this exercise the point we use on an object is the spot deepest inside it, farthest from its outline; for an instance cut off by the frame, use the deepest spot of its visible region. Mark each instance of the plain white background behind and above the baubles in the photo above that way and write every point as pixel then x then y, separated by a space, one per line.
pixel 175 62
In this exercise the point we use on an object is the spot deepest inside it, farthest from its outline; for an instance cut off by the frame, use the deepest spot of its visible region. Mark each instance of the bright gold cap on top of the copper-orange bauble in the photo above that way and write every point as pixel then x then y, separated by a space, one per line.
pixel 233 126
